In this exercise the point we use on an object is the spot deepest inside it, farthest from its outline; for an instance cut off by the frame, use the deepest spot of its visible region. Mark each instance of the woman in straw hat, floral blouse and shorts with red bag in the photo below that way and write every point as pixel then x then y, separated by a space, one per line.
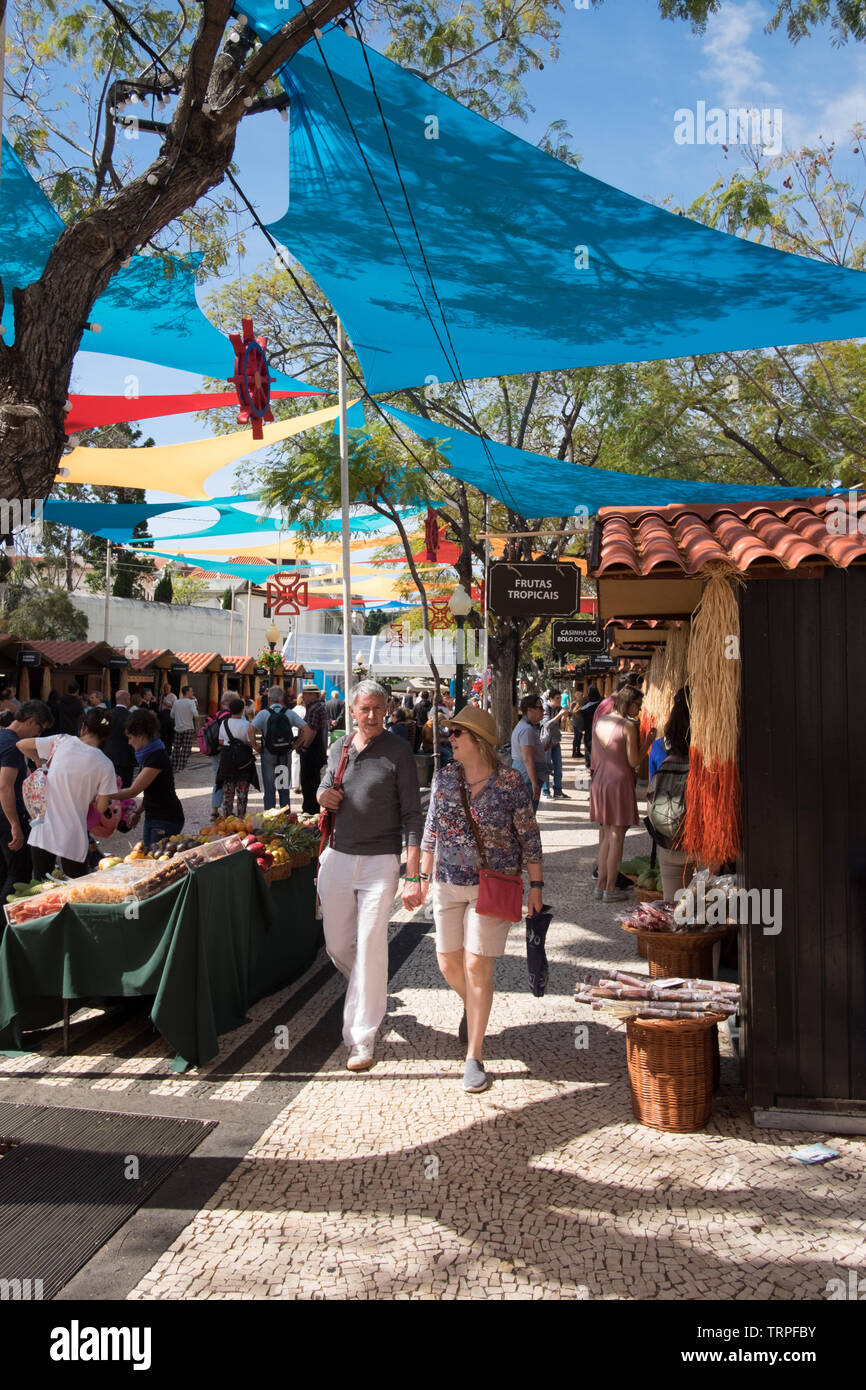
pixel 468 945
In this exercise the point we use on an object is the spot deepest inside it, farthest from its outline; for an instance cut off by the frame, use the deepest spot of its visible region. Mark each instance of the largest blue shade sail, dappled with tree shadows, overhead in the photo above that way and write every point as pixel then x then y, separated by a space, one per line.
pixel 528 265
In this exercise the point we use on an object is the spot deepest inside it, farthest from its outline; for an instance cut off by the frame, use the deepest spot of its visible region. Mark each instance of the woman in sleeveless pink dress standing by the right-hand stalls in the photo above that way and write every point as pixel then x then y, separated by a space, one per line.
pixel 616 755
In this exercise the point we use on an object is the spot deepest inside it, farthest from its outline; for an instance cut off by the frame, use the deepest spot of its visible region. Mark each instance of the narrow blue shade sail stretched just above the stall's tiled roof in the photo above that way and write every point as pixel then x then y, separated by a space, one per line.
pixel 534 484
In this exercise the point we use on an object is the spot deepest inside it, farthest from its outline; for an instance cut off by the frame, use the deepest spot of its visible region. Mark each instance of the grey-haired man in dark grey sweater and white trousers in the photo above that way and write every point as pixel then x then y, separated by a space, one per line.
pixel 376 806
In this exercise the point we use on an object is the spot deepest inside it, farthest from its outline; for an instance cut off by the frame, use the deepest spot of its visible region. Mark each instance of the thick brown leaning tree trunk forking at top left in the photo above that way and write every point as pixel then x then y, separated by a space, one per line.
pixel 54 312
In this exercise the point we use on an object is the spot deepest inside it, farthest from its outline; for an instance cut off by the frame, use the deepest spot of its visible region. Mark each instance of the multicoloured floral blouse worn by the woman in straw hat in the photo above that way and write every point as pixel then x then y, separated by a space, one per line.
pixel 504 815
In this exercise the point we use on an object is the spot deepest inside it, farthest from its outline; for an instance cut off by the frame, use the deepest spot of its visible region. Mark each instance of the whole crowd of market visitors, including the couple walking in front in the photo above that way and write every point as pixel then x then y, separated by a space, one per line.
pixel 469 853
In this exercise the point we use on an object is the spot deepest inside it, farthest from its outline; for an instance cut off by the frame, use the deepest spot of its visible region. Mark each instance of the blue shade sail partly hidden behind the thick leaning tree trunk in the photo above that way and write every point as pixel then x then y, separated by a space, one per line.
pixel 149 311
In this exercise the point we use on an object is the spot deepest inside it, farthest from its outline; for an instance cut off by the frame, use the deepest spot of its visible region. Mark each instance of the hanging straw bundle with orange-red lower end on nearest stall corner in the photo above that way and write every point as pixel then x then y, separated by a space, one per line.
pixel 712 831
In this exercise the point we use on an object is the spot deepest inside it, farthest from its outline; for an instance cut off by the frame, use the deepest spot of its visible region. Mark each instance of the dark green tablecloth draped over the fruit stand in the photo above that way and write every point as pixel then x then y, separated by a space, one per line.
pixel 205 949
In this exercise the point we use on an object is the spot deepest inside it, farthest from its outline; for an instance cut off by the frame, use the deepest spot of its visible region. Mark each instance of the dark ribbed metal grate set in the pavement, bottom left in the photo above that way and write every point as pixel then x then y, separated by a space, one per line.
pixel 72 1179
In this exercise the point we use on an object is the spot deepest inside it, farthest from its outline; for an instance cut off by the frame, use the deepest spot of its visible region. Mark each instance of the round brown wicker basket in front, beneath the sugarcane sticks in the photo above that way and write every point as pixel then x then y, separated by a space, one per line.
pixel 673 1070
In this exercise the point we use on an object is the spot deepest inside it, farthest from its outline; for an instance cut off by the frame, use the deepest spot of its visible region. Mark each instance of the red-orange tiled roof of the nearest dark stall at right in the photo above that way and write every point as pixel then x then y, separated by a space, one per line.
pixel 662 540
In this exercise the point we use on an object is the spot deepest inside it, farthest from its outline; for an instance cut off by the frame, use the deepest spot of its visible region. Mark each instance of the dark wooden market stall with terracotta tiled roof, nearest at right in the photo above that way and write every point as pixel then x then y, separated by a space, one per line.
pixel 800 584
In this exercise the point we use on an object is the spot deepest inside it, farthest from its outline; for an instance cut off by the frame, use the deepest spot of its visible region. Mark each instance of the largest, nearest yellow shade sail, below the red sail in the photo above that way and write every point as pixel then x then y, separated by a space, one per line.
pixel 181 468
